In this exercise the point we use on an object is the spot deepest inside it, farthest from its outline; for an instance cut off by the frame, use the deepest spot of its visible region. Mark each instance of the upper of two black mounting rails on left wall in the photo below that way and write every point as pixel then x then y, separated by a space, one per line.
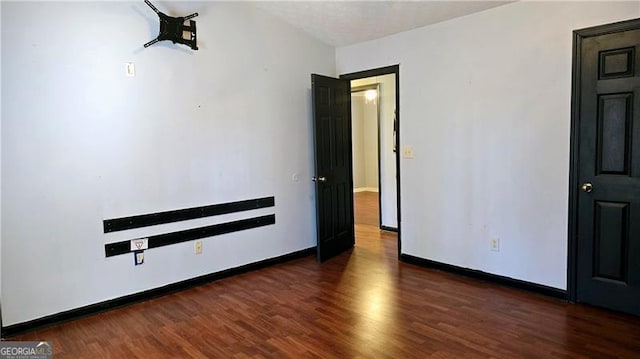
pixel 144 220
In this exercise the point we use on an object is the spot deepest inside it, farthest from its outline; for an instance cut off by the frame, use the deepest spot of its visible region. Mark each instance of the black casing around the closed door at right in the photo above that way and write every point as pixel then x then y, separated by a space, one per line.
pixel 578 37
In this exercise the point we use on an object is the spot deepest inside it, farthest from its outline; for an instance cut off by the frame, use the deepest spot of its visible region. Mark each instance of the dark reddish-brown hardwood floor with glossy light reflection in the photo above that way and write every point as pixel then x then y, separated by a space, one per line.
pixel 362 304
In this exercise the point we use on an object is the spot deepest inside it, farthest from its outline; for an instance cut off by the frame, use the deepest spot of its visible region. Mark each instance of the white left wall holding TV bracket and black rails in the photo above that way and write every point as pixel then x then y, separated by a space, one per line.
pixel 82 142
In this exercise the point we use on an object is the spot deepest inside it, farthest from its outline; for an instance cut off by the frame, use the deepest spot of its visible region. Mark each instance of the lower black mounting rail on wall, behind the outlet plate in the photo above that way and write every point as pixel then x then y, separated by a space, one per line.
pixel 124 247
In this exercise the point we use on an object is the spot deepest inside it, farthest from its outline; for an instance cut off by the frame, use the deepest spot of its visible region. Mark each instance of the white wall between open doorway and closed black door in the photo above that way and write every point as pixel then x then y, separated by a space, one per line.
pixel 485 102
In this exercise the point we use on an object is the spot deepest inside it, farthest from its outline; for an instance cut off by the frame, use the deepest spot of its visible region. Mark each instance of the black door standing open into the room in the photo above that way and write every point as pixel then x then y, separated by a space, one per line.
pixel 334 177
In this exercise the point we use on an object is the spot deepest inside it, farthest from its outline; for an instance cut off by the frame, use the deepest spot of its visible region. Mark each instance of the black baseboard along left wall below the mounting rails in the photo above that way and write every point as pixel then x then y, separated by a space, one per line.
pixel 50 320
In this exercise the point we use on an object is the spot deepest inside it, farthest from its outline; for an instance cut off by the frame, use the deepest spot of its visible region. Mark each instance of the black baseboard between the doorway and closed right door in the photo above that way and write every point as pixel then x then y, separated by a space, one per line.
pixel 488 277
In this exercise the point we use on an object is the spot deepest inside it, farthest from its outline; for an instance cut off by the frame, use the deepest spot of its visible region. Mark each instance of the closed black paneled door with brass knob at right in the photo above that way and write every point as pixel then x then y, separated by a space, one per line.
pixel 608 247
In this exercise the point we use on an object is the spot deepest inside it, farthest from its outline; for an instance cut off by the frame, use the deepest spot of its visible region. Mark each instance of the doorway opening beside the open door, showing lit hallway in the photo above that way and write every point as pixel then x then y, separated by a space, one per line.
pixel 374 121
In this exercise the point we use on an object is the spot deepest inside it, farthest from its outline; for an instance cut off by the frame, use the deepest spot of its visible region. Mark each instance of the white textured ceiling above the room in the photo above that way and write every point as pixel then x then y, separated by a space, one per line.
pixel 341 23
